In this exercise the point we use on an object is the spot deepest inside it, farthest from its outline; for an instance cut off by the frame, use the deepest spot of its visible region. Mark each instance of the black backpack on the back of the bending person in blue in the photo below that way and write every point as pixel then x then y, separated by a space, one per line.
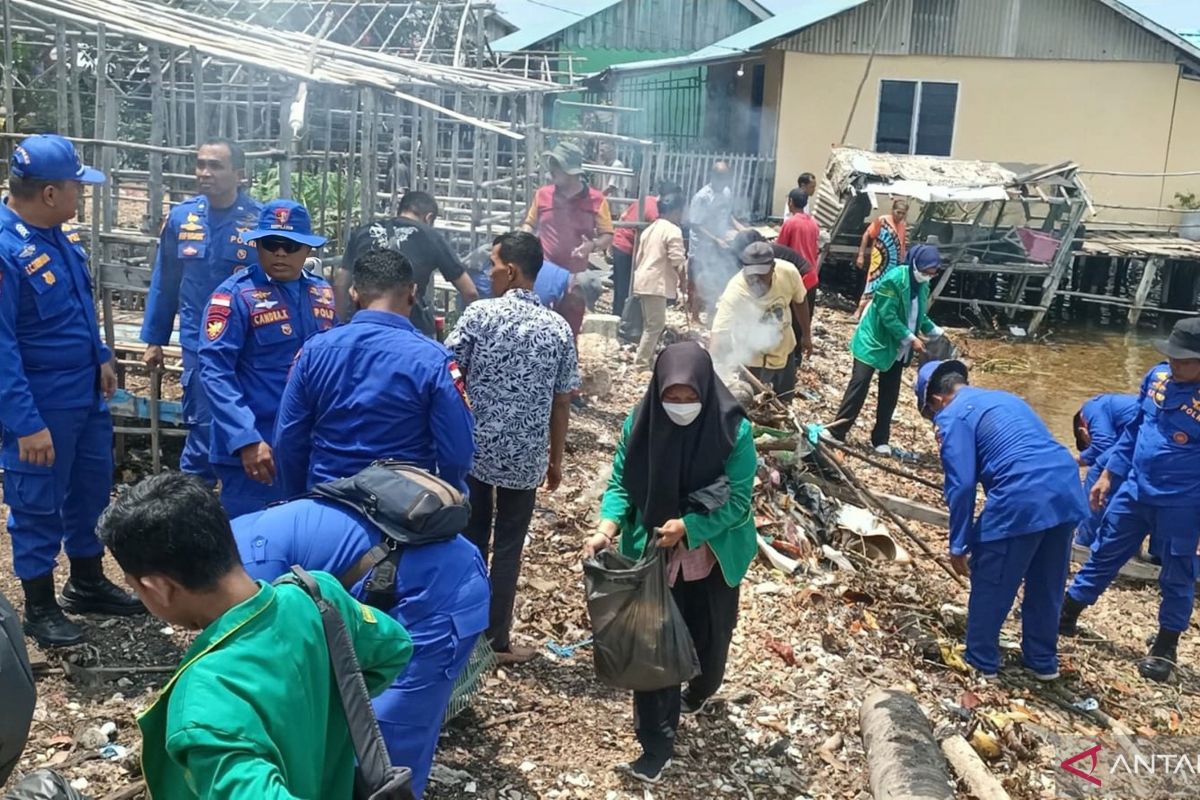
pixel 409 506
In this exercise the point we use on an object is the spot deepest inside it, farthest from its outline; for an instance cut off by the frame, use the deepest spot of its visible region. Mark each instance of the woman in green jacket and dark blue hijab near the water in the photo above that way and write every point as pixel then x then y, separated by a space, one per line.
pixel 886 340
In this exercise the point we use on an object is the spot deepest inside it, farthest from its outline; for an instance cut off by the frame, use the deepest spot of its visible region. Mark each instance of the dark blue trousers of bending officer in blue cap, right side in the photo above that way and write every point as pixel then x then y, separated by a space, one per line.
pixel 1040 561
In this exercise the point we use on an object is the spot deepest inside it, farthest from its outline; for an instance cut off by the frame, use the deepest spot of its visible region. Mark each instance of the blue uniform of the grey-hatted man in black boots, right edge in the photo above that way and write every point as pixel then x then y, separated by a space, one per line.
pixel 1160 454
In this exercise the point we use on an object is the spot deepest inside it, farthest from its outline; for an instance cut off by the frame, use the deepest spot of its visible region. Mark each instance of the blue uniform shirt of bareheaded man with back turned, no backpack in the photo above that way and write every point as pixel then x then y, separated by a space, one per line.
pixel 373 389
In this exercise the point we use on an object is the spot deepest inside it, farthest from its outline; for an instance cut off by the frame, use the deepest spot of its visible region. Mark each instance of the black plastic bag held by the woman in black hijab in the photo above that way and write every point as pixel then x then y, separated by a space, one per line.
pixel 640 640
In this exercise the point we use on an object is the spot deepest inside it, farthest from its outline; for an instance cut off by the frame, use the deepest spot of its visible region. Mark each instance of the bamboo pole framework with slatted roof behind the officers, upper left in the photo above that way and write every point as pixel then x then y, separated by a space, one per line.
pixel 344 129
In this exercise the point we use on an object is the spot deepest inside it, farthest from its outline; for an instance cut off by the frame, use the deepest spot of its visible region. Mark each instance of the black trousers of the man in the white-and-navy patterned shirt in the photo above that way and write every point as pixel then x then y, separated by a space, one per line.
pixel 513 512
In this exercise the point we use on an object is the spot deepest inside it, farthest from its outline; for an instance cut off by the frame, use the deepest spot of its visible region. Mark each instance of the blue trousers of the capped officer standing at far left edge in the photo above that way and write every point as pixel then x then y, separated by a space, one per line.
pixel 56 507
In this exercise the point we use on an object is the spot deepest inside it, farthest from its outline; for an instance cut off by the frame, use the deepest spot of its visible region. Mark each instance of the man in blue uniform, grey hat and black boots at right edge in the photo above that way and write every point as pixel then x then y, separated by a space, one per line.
pixel 1160 455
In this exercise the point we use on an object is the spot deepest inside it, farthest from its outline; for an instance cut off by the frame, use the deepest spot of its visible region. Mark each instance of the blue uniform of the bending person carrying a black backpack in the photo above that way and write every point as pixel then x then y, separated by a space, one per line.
pixel 442 600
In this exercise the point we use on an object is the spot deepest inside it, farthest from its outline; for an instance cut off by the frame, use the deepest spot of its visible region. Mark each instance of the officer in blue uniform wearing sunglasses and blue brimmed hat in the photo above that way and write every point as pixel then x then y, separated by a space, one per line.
pixel 254 327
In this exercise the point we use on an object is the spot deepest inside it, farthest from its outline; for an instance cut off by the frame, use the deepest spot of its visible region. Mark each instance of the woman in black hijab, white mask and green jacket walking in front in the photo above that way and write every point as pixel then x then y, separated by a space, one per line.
pixel 687 435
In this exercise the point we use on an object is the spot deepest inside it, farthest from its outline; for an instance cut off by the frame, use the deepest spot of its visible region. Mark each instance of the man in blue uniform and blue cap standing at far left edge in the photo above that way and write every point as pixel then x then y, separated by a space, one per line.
pixel 56 380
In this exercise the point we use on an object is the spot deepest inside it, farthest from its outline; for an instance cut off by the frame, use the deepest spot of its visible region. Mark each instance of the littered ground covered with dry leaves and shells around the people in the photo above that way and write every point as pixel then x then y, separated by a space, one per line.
pixel 807 651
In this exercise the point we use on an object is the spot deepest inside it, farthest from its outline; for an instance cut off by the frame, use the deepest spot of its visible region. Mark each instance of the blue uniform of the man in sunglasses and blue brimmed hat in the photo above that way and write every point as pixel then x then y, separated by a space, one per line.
pixel 254 328
